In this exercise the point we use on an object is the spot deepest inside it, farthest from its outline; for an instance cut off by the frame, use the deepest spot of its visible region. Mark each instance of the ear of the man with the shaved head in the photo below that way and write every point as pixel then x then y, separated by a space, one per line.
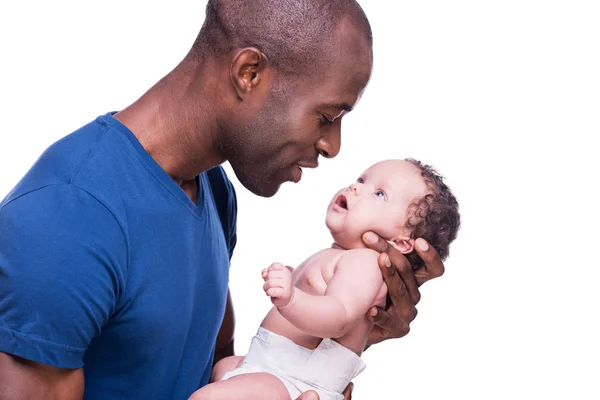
pixel 247 71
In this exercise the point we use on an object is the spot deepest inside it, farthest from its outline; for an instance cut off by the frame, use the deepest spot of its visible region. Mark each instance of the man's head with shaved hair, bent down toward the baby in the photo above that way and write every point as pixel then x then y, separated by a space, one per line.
pixel 286 72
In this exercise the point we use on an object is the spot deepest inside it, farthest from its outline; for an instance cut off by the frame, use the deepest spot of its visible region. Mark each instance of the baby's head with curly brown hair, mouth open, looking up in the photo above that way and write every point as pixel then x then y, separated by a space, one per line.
pixel 401 200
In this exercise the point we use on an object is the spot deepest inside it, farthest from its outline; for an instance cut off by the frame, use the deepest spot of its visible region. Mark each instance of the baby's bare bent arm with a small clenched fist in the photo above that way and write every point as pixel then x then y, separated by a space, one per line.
pixel 349 295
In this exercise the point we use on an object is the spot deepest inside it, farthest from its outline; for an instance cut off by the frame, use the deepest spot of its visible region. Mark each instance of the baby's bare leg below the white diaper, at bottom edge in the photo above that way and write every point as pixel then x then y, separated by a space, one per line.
pixel 253 386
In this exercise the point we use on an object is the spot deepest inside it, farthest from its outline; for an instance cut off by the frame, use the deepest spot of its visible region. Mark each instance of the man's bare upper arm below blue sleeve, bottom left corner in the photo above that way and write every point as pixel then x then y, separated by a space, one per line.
pixel 21 379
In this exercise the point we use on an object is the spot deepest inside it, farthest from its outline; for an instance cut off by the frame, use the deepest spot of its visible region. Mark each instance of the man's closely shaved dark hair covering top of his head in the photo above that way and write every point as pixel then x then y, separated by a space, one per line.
pixel 291 33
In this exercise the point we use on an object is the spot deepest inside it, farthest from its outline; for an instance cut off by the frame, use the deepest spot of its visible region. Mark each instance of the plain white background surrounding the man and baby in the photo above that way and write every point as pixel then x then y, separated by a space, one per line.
pixel 502 97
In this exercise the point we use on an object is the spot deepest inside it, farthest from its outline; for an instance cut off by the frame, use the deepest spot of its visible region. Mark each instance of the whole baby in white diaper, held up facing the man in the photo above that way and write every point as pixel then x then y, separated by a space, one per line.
pixel 314 335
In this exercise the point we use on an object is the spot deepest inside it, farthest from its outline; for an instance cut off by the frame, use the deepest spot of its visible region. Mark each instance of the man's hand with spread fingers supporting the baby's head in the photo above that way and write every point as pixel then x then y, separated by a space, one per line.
pixel 403 286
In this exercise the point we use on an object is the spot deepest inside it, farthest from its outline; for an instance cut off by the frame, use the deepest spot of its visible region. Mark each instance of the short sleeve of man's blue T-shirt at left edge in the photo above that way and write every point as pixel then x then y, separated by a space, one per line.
pixel 63 258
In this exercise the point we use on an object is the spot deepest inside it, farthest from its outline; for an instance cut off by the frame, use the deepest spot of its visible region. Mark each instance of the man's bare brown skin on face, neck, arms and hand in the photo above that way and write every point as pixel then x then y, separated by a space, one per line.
pixel 208 111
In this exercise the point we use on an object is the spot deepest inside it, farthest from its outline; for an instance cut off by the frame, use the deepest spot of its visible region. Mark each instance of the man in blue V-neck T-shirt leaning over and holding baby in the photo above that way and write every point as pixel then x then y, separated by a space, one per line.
pixel 115 247
